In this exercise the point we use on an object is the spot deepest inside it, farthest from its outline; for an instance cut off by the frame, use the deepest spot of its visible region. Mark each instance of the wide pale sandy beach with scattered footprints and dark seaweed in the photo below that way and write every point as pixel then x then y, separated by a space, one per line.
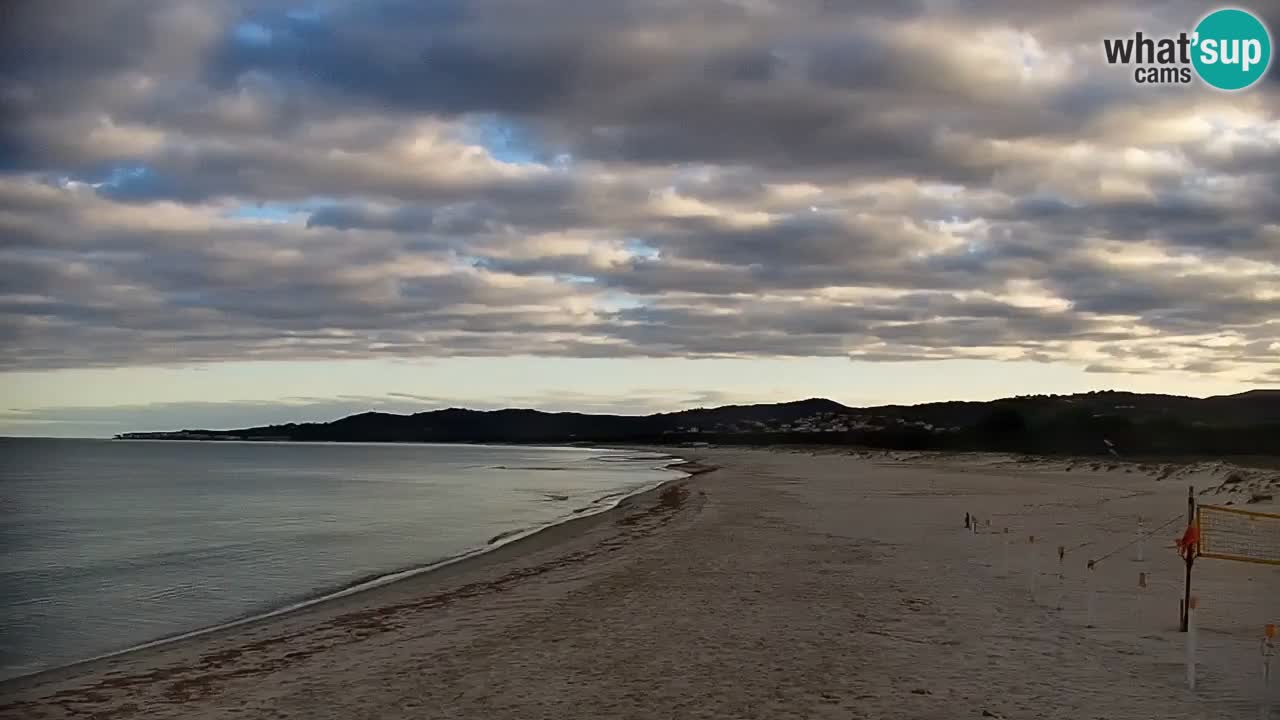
pixel 784 585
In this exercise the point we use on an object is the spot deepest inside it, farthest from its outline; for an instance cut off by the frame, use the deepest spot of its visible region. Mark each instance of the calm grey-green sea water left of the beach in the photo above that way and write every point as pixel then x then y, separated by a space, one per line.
pixel 107 545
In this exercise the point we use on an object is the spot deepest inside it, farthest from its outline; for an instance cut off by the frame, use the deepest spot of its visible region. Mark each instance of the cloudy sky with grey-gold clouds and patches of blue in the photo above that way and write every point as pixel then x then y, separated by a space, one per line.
pixel 218 215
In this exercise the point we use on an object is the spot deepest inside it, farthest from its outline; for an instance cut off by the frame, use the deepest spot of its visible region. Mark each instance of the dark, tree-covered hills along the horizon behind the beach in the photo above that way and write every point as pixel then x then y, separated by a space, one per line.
pixel 1086 423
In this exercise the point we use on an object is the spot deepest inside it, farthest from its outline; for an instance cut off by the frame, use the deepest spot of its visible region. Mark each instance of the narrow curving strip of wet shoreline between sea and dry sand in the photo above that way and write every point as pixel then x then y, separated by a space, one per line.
pixel 509 545
